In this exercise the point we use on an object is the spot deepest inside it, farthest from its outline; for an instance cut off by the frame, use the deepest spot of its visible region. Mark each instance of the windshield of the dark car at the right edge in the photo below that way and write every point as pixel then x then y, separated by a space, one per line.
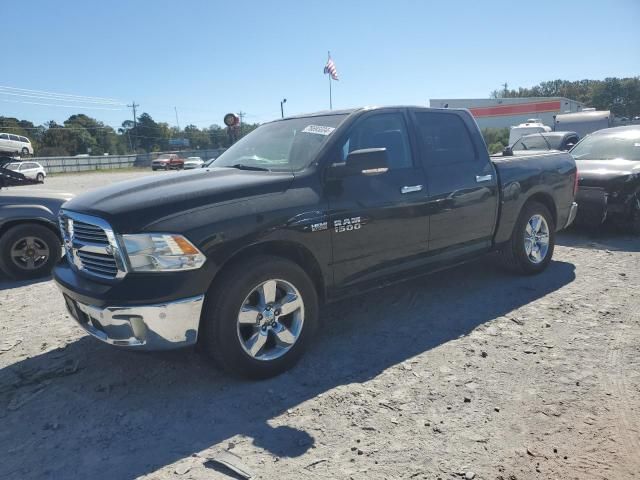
pixel 622 144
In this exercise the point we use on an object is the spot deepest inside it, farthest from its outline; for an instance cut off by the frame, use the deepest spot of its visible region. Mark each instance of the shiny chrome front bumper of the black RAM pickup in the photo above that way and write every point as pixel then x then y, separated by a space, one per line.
pixel 146 327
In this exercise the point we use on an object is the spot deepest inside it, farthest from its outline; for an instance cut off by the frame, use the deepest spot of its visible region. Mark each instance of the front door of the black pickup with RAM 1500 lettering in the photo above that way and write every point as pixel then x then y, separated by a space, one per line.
pixel 379 221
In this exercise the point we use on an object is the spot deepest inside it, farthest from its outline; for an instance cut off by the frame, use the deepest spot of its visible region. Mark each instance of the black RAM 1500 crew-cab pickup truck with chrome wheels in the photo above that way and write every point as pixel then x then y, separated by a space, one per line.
pixel 238 256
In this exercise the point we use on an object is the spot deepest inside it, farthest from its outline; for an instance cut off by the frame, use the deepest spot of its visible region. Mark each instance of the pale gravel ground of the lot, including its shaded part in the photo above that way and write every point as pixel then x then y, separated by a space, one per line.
pixel 472 373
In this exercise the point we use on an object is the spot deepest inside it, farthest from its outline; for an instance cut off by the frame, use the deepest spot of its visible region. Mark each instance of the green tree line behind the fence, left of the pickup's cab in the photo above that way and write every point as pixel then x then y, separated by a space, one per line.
pixel 81 134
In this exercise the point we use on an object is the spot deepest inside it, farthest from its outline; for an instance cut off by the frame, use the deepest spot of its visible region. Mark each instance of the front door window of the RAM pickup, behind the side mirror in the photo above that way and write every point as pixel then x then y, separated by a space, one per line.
pixel 386 130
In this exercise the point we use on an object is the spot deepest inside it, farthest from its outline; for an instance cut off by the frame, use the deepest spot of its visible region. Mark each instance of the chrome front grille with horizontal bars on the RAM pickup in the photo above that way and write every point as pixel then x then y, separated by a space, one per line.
pixel 91 245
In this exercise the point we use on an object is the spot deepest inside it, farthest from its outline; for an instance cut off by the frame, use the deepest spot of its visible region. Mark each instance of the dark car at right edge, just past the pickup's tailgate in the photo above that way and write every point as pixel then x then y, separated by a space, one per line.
pixel 609 177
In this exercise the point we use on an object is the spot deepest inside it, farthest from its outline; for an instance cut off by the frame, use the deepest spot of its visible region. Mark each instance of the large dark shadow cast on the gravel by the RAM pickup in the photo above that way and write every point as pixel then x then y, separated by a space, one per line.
pixel 122 414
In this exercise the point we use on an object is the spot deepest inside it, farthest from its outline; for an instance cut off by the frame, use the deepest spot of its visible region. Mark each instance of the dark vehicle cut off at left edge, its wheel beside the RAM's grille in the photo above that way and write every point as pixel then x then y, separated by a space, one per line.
pixel 30 241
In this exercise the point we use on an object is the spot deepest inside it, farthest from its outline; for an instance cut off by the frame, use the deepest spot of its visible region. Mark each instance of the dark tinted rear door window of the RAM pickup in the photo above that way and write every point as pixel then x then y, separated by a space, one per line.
pixel 444 138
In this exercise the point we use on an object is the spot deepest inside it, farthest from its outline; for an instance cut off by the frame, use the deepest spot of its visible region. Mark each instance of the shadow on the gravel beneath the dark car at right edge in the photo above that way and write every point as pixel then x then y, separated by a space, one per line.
pixel 606 237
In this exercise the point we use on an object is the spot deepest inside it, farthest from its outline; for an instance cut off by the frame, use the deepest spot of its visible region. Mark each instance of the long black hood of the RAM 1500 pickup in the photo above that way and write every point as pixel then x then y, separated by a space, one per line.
pixel 131 205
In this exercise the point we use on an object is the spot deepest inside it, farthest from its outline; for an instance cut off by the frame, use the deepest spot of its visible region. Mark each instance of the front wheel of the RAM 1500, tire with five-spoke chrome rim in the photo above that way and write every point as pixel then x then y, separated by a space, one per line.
pixel 238 291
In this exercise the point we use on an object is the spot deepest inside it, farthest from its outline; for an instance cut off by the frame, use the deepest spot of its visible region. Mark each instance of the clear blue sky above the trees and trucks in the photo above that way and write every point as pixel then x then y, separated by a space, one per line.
pixel 206 58
